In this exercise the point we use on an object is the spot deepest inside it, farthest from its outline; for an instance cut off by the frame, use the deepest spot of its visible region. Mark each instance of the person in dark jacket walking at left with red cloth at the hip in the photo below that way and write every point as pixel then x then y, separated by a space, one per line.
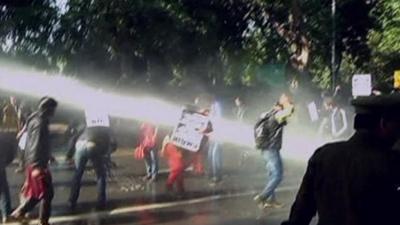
pixel 38 186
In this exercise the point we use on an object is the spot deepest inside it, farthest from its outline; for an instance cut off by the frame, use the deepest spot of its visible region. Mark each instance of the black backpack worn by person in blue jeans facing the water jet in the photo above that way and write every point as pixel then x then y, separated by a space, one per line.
pixel 264 128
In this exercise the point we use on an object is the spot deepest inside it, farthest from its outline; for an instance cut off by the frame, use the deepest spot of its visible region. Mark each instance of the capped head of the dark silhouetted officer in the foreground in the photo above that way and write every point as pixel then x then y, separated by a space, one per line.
pixel 380 114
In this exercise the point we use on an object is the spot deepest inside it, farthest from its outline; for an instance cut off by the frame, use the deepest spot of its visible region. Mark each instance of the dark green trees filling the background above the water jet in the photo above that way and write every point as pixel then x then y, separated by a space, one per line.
pixel 216 43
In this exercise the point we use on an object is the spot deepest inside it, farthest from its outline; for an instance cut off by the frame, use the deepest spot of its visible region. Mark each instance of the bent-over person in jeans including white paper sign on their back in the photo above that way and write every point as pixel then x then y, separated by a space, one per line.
pixel 95 144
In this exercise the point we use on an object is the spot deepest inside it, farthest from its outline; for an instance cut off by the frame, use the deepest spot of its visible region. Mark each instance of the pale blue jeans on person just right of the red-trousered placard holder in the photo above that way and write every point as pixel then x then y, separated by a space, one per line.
pixel 214 160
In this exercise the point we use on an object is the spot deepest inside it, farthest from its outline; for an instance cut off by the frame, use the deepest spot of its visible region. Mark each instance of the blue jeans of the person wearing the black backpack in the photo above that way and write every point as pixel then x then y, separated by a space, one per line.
pixel 274 168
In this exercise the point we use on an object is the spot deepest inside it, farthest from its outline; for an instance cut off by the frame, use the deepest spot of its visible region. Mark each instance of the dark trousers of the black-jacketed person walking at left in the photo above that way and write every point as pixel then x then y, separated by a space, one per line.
pixel 45 202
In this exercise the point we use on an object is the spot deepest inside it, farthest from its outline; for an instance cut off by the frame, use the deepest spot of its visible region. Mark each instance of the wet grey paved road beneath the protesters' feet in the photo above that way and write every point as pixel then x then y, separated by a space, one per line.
pixel 132 201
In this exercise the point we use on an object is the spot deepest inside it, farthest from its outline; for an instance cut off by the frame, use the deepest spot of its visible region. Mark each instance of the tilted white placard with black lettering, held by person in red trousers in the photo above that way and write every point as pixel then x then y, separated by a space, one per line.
pixel 187 134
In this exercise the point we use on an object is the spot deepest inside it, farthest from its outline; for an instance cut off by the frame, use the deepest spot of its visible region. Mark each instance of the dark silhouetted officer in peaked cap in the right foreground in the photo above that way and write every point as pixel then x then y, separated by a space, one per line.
pixel 356 182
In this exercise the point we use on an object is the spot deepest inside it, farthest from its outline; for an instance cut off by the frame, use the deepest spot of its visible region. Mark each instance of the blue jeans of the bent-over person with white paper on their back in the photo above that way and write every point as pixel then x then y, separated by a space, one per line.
pixel 82 156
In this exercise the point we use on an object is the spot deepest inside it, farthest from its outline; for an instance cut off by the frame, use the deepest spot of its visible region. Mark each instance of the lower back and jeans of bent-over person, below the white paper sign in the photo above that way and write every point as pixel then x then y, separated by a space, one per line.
pixel 94 145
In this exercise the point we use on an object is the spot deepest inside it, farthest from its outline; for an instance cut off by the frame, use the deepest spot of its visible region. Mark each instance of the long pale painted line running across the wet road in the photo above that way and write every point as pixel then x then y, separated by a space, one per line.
pixel 131 209
